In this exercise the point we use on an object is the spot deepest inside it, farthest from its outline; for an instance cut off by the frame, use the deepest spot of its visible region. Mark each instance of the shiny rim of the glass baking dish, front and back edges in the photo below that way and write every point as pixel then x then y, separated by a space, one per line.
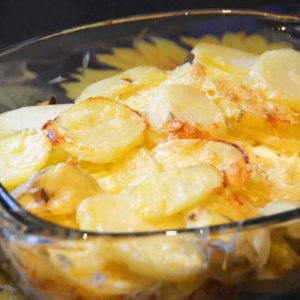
pixel 36 226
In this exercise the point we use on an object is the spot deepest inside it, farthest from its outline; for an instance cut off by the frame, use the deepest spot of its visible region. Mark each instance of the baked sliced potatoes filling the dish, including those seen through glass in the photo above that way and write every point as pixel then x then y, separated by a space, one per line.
pixel 213 141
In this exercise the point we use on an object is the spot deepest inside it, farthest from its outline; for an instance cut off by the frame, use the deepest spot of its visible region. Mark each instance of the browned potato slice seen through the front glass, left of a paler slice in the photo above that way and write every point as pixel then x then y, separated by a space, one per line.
pixel 88 267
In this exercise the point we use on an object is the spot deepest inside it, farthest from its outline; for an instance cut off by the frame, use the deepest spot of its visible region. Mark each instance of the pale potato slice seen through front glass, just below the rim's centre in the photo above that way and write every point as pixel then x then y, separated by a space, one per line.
pixel 161 258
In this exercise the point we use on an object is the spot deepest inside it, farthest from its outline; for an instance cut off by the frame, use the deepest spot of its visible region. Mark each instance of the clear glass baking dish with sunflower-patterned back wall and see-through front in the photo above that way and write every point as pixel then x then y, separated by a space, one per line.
pixel 49 261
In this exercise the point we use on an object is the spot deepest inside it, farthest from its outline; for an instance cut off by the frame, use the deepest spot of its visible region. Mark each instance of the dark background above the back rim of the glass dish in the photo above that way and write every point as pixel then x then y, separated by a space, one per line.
pixel 24 19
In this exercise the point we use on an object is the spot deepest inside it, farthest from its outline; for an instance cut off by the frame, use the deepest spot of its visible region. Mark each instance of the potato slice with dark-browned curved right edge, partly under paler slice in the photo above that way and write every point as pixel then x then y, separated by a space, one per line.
pixel 230 158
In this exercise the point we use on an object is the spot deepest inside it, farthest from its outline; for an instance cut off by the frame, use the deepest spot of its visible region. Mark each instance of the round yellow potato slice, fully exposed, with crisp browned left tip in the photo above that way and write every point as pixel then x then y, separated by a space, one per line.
pixel 97 130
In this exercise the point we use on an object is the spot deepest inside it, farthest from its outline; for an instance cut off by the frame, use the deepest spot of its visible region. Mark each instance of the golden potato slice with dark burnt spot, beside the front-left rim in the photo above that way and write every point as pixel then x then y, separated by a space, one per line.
pixel 56 190
